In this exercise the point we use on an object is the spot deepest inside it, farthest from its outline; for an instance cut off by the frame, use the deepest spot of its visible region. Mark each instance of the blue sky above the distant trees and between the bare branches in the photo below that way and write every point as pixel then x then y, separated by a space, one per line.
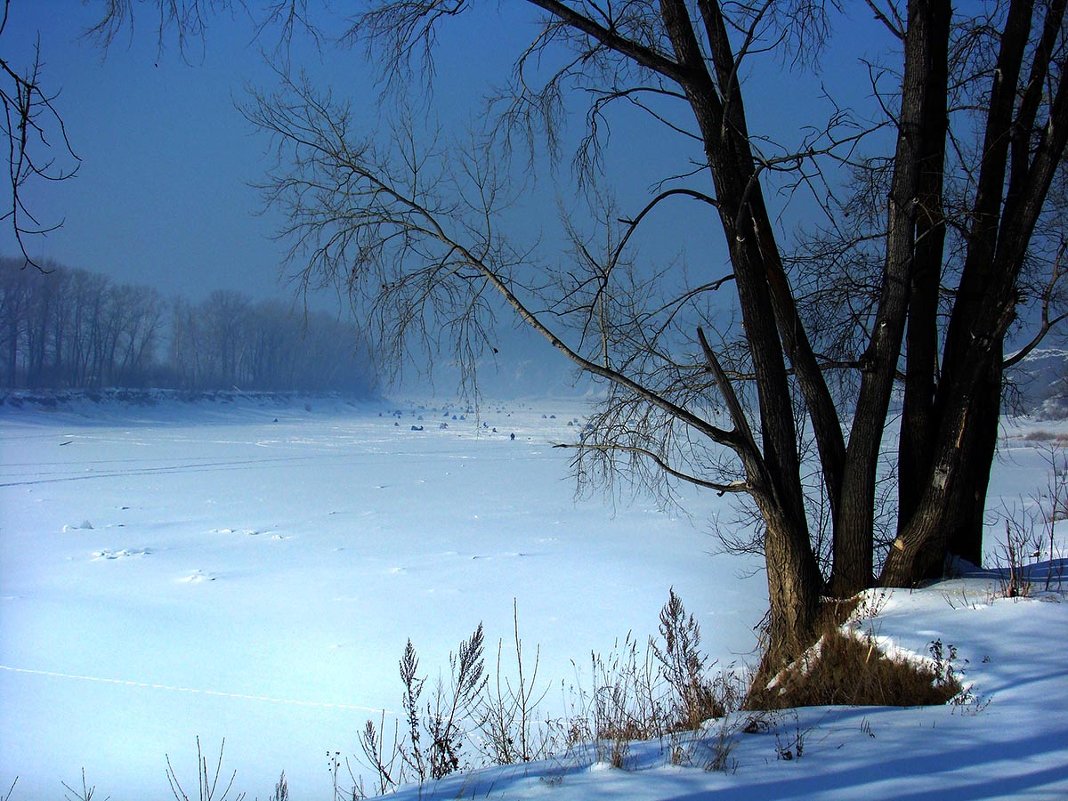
pixel 163 195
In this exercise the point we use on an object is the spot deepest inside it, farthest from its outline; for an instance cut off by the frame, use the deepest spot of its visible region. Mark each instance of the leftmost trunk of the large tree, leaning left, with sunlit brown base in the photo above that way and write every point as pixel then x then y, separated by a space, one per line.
pixel 794 578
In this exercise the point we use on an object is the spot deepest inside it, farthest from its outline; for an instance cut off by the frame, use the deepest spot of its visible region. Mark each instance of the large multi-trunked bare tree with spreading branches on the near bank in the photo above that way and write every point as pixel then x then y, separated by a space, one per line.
pixel 414 228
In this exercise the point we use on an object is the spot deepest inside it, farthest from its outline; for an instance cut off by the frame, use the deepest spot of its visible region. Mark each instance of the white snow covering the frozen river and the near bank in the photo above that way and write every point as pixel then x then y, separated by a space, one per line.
pixel 252 571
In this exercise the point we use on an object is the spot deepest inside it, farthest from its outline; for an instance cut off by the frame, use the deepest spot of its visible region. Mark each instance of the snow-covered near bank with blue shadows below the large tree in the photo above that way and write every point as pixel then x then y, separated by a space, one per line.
pixel 1011 743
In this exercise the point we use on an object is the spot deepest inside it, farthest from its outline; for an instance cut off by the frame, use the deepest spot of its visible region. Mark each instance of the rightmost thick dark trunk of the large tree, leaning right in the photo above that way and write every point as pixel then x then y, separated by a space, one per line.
pixel 985 306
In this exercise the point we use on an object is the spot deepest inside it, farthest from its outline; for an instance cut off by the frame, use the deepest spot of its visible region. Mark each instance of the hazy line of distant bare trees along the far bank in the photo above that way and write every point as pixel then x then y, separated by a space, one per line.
pixel 71 328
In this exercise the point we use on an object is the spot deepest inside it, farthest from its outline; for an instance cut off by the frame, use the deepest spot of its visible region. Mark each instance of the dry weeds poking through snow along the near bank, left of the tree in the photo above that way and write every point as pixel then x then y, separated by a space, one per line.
pixel 666 690
